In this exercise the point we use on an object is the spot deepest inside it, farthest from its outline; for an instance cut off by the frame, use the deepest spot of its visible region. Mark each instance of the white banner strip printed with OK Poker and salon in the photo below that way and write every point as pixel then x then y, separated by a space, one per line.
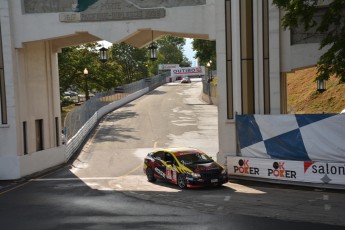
pixel 299 171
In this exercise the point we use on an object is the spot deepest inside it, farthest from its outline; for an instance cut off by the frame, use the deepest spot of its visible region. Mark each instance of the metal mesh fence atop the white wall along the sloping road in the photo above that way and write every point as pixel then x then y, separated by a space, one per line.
pixel 76 119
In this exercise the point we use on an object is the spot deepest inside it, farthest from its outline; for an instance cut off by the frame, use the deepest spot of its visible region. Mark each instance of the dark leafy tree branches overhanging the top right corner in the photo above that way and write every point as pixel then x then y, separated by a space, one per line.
pixel 332 25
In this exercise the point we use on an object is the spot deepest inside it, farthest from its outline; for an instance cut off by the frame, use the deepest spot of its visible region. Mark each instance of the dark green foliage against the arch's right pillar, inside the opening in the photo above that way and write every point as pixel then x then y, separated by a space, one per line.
pixel 205 52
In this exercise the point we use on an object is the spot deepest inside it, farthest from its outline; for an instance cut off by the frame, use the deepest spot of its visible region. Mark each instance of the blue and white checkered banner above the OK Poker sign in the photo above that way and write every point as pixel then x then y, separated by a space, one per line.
pixel 312 137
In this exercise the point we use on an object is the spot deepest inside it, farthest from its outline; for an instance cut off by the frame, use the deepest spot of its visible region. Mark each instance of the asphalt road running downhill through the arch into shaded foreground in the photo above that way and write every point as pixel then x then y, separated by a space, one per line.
pixel 104 186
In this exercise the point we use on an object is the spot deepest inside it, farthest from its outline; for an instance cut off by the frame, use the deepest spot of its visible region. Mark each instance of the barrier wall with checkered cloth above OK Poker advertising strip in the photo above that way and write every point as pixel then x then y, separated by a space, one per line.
pixel 294 148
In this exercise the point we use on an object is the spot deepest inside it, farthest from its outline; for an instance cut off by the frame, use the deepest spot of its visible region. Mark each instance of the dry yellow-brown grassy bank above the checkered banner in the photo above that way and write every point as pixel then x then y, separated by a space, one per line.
pixel 304 99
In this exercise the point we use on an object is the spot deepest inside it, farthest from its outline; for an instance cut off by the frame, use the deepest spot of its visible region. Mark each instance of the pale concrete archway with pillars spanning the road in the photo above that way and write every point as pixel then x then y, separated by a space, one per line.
pixel 253 55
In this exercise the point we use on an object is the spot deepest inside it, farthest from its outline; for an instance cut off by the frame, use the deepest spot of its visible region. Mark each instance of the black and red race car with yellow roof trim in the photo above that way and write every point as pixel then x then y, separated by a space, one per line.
pixel 186 167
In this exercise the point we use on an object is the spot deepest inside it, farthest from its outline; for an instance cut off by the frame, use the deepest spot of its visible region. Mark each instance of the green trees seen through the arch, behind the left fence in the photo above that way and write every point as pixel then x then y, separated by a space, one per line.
pixel 126 64
